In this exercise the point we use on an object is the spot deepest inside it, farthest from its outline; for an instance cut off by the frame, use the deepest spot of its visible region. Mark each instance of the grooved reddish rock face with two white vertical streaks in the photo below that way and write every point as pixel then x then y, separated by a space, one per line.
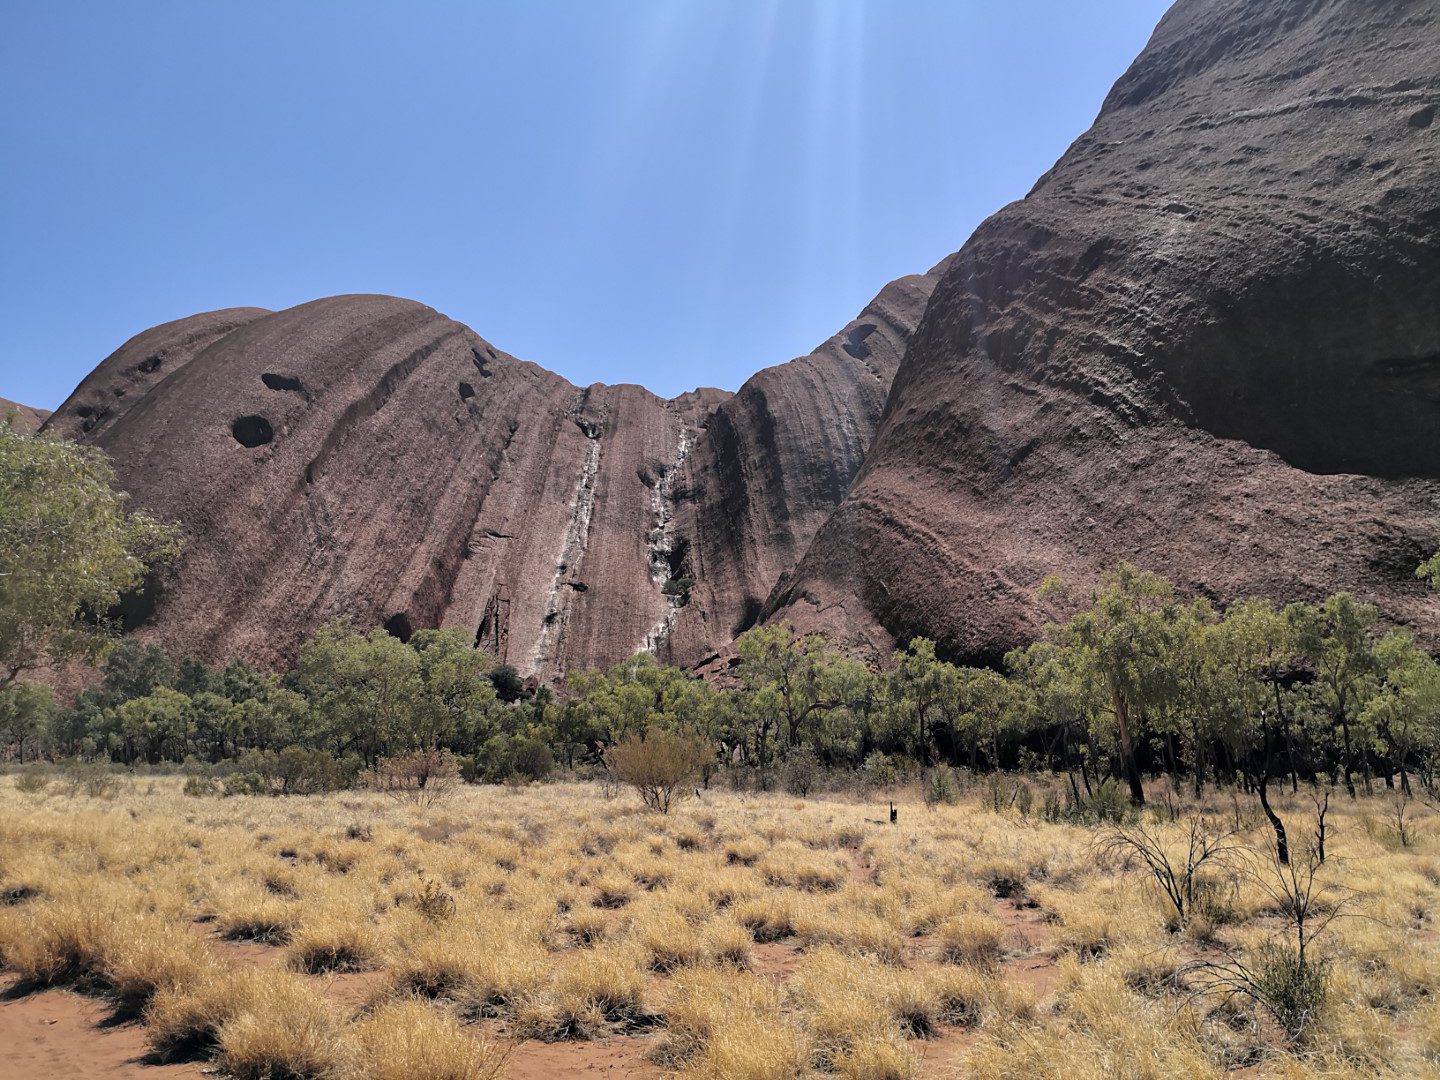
pixel 369 457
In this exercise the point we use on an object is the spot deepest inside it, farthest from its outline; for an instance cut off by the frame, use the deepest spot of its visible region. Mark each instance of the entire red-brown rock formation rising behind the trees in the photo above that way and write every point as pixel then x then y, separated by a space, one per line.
pixel 1207 342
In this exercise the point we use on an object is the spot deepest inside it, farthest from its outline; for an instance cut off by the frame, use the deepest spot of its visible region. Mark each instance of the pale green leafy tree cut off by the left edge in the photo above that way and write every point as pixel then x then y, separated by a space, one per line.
pixel 68 552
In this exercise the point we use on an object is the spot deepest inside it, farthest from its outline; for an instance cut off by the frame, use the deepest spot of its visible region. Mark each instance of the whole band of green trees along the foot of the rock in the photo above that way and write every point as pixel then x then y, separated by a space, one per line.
pixel 1128 682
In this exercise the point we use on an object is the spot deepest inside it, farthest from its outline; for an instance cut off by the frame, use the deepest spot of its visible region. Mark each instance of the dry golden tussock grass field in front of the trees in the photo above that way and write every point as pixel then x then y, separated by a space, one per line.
pixel 744 937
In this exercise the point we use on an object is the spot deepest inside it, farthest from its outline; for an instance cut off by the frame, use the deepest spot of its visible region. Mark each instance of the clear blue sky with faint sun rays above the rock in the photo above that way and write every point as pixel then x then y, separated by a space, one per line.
pixel 665 192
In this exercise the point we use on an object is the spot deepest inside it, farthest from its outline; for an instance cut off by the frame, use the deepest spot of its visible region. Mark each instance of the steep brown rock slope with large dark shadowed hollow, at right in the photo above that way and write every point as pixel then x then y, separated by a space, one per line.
pixel 1209 342
